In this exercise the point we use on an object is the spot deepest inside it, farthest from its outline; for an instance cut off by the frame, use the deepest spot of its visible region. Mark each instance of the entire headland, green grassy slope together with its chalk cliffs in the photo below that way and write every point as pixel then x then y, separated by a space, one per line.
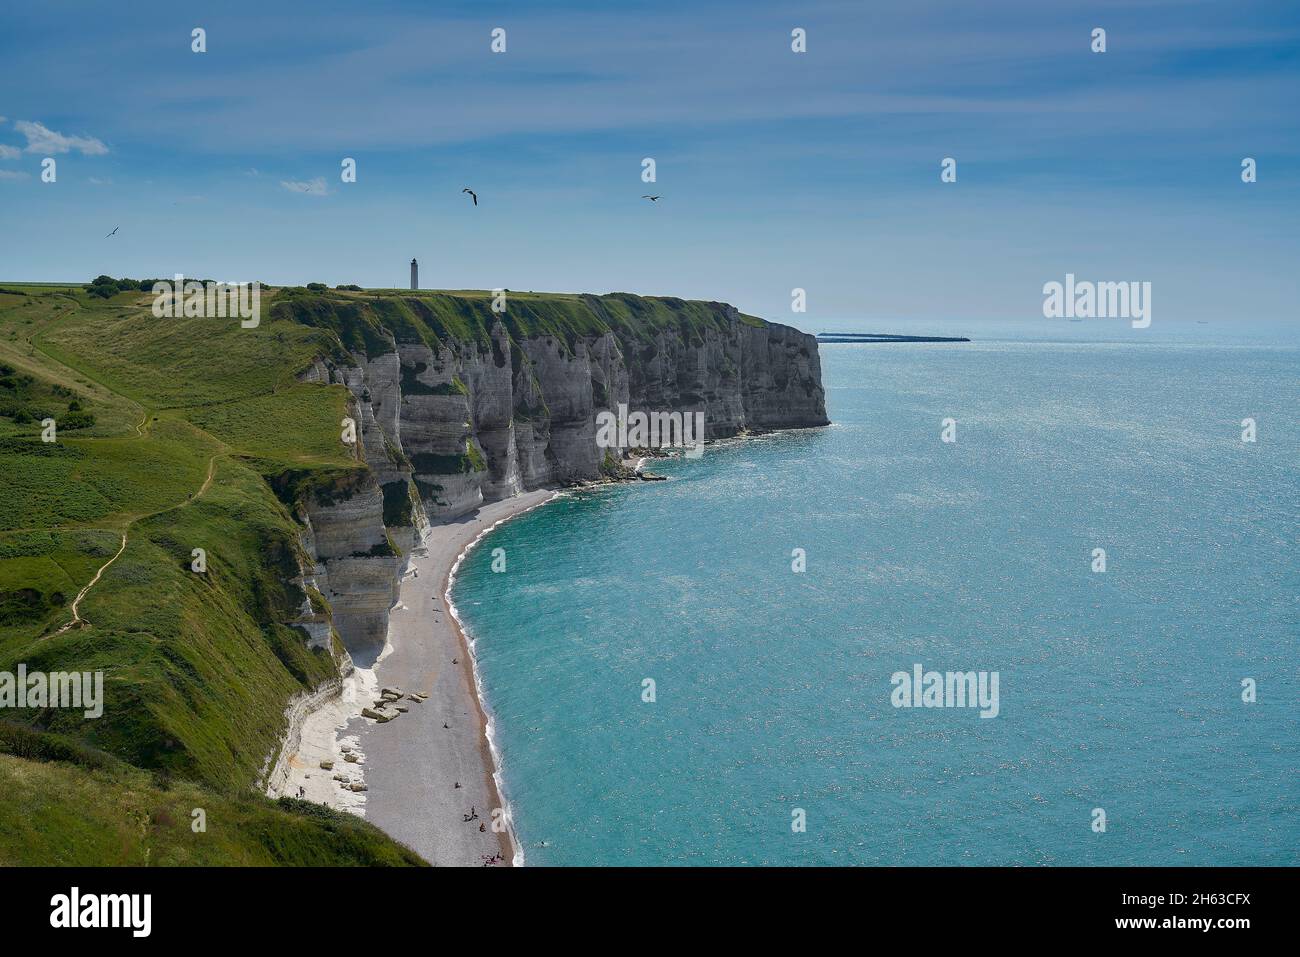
pixel 176 435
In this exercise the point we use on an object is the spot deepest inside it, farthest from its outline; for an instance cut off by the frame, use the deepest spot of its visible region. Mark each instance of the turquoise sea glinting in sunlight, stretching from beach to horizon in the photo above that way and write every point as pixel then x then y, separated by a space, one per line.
pixel 1120 691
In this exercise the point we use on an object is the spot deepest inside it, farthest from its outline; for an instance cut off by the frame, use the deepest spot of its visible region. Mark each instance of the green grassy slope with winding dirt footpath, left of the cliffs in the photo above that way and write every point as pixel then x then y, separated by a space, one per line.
pixel 192 418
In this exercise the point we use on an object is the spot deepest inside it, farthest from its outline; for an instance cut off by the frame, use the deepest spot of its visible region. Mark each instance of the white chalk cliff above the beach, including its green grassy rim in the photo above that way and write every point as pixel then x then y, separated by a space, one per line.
pixel 458 405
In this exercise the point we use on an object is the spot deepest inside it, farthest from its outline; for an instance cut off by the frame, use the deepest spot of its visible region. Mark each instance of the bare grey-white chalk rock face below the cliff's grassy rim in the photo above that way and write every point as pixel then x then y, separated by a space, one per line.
pixel 467 422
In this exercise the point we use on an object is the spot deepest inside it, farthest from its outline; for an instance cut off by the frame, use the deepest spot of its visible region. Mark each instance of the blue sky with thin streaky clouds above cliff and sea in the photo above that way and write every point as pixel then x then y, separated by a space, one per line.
pixel 777 171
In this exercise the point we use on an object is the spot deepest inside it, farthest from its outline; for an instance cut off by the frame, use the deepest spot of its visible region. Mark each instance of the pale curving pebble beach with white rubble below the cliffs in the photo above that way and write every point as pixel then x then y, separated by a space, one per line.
pixel 415 768
